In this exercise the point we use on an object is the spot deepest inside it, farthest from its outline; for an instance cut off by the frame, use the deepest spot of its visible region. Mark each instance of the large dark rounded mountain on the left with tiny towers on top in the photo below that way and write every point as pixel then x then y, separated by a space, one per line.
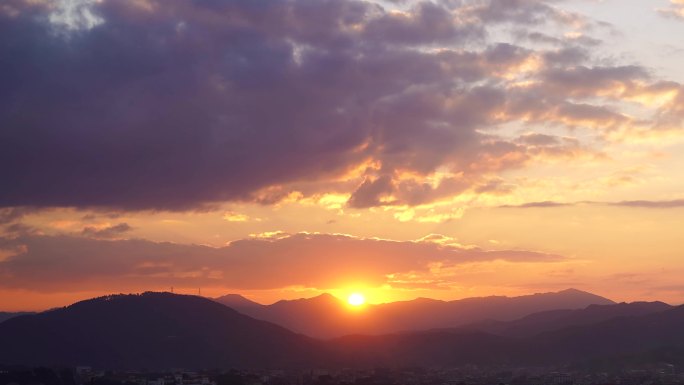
pixel 151 330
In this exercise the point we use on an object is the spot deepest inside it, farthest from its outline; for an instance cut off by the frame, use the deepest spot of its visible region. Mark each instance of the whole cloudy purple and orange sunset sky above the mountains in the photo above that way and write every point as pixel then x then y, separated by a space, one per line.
pixel 284 148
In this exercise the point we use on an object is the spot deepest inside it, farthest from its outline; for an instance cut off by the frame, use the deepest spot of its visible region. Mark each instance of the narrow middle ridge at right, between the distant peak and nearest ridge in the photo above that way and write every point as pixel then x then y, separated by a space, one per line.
pixel 558 319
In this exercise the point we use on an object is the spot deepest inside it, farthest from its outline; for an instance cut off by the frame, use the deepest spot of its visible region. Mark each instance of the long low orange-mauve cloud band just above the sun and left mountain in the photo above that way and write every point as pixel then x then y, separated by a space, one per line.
pixel 71 263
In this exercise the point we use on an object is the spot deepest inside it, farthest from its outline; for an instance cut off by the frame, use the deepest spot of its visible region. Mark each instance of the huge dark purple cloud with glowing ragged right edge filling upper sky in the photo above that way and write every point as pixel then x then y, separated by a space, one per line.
pixel 177 105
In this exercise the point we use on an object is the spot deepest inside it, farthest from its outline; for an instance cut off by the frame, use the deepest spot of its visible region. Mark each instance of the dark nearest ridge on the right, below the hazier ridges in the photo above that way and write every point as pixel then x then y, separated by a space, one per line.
pixel 618 342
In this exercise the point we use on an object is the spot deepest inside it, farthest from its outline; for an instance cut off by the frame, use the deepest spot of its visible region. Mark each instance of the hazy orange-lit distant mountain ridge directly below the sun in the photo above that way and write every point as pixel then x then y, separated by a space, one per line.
pixel 328 317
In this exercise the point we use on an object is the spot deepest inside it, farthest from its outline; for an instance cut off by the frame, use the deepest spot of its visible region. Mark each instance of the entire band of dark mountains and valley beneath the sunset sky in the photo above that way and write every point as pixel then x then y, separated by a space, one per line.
pixel 152 332
